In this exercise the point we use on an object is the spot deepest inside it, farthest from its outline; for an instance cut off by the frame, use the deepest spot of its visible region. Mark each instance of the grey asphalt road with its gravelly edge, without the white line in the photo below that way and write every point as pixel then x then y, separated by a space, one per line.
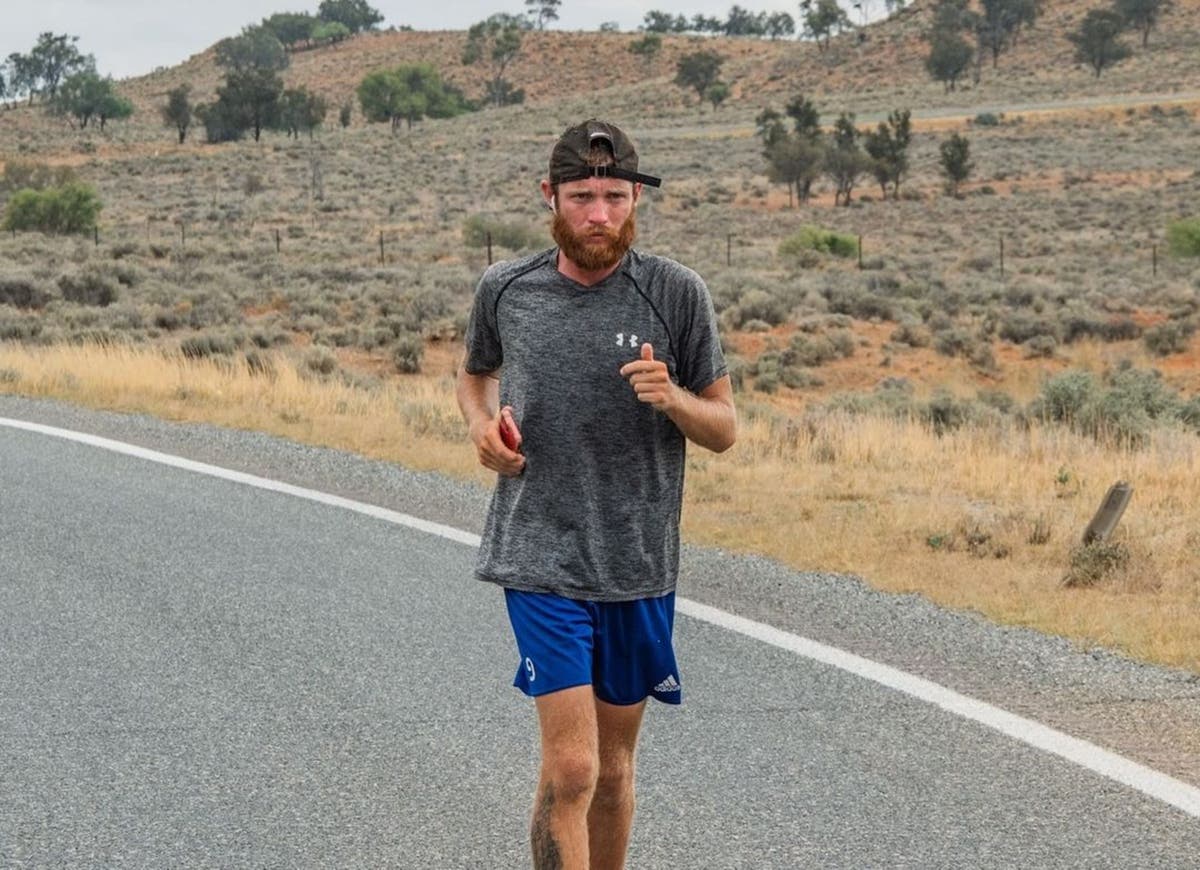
pixel 195 673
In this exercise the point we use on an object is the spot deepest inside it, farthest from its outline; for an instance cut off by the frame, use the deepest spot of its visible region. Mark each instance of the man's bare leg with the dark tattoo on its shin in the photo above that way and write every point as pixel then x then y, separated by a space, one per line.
pixel 569 769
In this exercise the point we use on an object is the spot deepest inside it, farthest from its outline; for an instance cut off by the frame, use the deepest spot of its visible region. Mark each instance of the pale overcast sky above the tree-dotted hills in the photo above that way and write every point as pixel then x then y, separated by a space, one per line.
pixel 130 38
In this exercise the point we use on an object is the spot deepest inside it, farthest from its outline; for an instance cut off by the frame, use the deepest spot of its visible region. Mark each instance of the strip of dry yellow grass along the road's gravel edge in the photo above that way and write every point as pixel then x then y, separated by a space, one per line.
pixel 979 520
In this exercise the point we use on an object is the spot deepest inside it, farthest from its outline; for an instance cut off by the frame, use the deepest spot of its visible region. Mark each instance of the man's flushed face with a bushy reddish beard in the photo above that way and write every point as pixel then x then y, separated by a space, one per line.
pixel 595 224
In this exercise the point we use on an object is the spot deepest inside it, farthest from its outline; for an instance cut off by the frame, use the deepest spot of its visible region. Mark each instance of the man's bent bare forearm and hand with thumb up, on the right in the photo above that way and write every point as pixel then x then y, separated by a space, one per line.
pixel 707 418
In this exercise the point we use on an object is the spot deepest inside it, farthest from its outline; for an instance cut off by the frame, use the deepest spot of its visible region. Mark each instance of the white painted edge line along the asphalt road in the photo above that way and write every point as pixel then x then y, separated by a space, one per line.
pixel 1088 755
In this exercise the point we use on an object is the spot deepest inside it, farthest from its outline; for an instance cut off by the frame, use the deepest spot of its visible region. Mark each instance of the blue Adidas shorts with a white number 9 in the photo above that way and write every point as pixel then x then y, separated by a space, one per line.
pixel 621 649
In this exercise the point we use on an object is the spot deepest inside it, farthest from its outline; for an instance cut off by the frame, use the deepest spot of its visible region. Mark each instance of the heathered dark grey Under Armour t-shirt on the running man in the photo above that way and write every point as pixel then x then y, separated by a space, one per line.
pixel 596 514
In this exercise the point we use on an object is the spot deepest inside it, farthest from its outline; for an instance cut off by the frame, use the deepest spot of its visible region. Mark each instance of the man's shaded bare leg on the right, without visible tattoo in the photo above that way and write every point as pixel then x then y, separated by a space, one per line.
pixel 611 814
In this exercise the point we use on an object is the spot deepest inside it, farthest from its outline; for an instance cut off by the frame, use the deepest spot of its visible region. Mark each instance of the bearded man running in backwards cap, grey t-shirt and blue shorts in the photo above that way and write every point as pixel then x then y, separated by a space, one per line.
pixel 587 369
